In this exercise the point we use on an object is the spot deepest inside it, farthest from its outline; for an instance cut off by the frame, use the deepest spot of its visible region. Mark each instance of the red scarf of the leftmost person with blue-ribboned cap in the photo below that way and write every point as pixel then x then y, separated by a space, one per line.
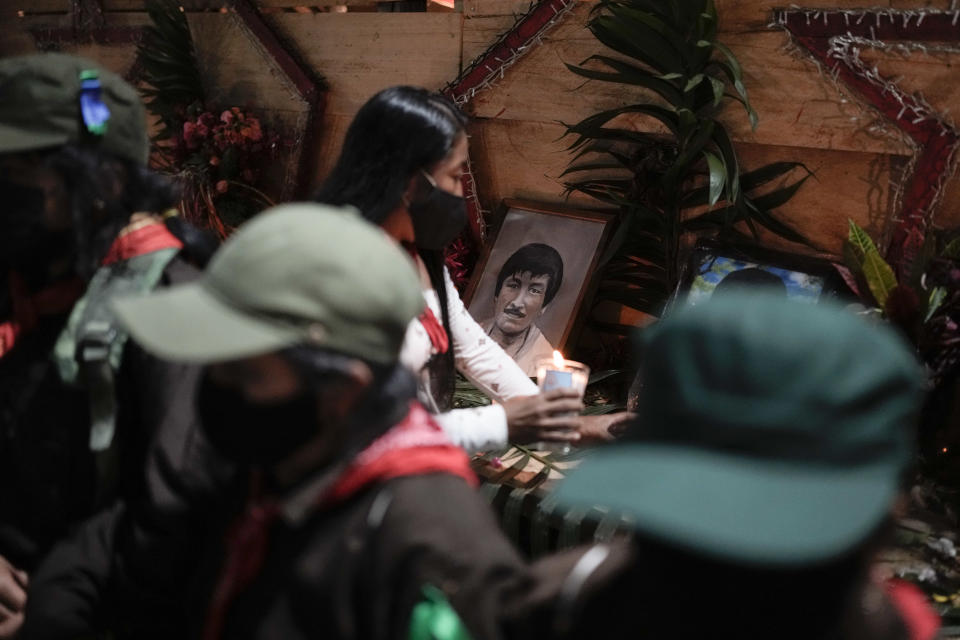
pixel 60 297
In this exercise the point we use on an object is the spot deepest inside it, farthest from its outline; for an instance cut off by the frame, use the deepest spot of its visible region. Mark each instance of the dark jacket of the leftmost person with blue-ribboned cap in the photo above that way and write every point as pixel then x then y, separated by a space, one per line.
pixel 49 479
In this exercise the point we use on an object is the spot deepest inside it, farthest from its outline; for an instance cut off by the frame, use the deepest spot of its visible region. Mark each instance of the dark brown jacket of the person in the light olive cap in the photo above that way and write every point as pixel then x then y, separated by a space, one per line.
pixel 355 569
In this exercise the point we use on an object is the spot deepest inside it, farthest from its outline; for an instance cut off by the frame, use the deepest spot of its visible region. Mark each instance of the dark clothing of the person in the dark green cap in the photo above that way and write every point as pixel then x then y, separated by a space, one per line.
pixel 606 591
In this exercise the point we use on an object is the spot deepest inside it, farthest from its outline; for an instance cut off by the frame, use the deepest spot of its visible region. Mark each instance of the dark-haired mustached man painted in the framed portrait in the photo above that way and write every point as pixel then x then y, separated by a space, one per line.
pixel 526 285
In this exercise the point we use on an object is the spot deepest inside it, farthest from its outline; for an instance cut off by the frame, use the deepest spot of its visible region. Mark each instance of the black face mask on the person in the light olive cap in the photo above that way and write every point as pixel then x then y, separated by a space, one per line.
pixel 255 433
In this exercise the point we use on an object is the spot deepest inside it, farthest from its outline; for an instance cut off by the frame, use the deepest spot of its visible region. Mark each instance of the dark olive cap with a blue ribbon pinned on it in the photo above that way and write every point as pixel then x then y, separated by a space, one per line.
pixel 51 99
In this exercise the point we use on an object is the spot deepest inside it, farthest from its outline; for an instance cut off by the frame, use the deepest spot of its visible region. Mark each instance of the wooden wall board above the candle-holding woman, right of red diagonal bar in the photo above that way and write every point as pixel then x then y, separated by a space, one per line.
pixel 362 53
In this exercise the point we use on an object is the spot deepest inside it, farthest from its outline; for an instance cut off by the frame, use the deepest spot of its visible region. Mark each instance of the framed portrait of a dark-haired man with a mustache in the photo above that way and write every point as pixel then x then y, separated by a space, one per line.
pixel 532 280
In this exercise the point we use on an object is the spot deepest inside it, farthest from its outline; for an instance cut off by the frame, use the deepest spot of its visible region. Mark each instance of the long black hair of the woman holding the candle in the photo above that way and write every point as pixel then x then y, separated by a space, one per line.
pixel 398 133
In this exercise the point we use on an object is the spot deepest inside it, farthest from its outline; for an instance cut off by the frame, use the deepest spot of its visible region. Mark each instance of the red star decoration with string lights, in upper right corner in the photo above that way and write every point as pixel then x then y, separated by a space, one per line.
pixel 829 36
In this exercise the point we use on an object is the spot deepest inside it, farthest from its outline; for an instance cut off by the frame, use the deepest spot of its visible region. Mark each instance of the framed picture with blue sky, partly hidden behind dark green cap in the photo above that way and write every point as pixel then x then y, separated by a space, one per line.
pixel 715 267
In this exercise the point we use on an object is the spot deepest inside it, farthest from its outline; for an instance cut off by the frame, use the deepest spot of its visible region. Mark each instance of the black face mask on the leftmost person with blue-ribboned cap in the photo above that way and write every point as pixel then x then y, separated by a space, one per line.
pixel 26 245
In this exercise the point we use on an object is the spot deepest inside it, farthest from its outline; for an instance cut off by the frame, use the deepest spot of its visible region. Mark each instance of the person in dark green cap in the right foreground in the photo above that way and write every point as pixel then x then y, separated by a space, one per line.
pixel 772 443
